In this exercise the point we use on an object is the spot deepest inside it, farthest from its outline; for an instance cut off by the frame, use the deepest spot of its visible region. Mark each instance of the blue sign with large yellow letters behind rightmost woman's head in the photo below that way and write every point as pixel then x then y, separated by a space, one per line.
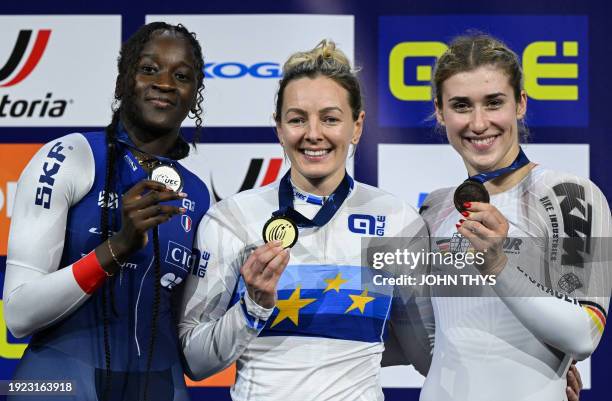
pixel 553 52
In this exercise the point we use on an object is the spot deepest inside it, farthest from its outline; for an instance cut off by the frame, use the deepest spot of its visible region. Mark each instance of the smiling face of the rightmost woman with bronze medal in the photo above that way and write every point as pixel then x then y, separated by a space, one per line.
pixel 480 114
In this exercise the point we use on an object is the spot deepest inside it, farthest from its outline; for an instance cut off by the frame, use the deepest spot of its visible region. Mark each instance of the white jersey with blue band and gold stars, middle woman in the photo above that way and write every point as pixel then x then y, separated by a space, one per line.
pixel 324 338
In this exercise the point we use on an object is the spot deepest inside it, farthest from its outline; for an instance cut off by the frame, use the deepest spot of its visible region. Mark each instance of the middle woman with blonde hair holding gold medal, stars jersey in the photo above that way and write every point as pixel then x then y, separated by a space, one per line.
pixel 304 322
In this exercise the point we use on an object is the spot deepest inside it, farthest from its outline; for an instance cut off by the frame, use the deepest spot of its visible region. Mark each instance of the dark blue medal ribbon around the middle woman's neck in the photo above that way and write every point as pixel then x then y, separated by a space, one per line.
pixel 327 211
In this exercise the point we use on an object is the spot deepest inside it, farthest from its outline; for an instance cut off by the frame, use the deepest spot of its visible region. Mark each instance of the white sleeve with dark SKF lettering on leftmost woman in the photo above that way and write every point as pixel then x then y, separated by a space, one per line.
pixel 58 176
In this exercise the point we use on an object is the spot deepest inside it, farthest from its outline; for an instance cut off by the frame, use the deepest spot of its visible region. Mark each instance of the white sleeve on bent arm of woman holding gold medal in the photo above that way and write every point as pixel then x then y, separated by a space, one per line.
pixel 212 335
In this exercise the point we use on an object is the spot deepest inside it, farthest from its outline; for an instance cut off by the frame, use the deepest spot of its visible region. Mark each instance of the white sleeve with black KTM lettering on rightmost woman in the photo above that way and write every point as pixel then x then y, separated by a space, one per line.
pixel 571 323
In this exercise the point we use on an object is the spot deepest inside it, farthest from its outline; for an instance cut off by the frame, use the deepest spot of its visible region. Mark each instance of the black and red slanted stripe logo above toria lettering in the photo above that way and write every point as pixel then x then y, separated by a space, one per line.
pixel 18 53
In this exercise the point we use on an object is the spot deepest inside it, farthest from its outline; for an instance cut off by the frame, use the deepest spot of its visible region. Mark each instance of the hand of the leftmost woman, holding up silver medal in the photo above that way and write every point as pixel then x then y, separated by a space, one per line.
pixel 140 211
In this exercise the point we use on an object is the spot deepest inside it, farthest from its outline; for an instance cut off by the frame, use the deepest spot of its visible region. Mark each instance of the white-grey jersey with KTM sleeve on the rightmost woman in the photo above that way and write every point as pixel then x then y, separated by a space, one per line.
pixel 515 341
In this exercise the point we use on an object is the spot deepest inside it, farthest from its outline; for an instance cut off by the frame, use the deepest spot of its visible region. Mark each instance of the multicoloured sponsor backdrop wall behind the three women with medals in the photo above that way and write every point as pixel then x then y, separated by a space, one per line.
pixel 57 72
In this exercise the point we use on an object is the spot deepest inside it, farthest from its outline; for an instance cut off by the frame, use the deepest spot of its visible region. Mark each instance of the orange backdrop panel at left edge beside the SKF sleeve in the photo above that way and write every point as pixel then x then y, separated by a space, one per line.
pixel 14 159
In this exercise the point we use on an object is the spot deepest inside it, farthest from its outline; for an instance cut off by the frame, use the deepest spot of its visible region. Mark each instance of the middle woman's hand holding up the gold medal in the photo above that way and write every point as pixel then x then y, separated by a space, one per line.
pixel 262 270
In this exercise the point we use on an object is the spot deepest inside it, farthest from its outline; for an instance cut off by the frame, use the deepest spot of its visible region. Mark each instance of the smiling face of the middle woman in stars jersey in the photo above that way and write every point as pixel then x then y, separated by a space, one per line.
pixel 316 129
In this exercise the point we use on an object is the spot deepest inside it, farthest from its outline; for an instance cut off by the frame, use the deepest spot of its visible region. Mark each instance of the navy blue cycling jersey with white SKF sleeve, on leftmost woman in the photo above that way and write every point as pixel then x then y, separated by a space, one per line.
pixel 58 207
